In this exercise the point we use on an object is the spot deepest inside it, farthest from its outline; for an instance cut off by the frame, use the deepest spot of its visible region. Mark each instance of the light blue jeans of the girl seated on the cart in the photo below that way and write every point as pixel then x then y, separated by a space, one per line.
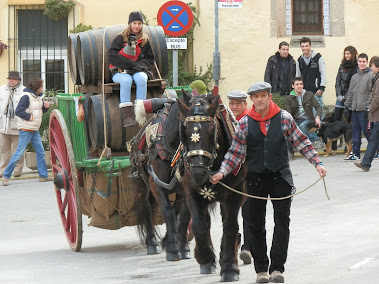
pixel 126 80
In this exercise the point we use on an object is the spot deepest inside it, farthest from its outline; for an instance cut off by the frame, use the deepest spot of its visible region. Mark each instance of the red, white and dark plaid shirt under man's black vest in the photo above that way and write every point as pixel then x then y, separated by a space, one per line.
pixel 237 151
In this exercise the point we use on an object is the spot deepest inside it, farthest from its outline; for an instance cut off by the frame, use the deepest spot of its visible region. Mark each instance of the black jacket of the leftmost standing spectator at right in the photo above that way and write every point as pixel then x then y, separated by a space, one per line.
pixel 272 73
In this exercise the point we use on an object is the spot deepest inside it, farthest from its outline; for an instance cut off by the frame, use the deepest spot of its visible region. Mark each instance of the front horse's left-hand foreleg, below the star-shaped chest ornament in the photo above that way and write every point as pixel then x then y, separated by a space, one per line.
pixel 204 253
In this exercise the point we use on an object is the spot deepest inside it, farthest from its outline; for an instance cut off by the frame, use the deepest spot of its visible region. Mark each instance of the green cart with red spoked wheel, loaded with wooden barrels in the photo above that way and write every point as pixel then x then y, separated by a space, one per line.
pixel 90 162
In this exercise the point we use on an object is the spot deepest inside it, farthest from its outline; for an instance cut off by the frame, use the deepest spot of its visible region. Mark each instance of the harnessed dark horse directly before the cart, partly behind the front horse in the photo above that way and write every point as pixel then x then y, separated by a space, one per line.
pixel 154 180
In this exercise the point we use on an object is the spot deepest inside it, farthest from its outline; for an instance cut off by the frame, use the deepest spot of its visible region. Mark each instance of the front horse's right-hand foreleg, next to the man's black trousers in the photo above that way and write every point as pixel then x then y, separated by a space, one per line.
pixel 229 241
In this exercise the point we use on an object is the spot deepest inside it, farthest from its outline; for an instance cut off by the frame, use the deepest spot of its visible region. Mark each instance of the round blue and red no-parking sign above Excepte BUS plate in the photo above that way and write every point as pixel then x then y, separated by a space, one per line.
pixel 175 17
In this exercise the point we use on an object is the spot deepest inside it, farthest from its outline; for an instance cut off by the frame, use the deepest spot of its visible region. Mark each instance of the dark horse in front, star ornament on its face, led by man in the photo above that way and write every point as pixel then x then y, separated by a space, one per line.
pixel 205 143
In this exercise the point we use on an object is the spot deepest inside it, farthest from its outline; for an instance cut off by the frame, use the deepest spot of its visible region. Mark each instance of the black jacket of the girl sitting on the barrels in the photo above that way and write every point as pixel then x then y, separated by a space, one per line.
pixel 143 63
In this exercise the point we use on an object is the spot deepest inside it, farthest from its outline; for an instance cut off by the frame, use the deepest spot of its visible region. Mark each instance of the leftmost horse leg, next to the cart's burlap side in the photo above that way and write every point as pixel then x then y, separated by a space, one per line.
pixel 145 227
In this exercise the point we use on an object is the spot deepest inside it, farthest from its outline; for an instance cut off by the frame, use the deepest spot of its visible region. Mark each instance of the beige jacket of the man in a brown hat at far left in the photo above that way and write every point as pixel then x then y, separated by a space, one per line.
pixel 9 125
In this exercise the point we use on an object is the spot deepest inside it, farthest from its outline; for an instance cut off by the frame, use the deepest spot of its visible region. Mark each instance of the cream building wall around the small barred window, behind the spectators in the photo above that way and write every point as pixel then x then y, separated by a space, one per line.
pixel 245 43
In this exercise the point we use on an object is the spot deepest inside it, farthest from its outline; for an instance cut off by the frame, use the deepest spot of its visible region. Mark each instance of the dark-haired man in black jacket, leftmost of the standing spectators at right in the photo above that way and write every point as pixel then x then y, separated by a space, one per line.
pixel 280 70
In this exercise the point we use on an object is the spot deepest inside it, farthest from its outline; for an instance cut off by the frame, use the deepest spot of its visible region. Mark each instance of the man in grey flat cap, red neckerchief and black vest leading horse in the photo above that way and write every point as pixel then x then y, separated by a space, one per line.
pixel 261 138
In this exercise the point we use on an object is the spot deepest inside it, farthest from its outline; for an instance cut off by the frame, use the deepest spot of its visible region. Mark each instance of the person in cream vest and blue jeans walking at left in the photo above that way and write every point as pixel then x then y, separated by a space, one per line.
pixel 29 117
